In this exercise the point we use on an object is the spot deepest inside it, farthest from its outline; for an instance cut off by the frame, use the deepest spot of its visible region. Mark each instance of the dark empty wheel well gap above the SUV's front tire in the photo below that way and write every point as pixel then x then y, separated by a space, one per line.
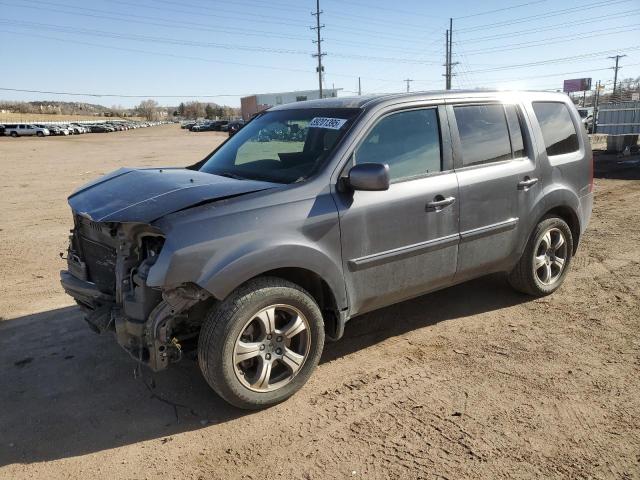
pixel 318 288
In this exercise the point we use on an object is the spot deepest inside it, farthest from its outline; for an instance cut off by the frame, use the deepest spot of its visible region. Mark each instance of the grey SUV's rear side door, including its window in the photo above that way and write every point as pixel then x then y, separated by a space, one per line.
pixel 499 183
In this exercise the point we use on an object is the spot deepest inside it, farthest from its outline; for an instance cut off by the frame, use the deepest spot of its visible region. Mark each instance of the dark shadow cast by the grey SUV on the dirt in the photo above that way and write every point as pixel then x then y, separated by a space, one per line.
pixel 68 392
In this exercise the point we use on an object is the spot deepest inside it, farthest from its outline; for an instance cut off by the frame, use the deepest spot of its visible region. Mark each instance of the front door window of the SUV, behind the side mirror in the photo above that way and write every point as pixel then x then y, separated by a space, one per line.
pixel 409 142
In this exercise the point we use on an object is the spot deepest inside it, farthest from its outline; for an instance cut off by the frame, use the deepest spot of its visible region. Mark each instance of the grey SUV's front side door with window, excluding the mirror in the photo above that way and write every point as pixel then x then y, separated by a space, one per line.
pixel 403 242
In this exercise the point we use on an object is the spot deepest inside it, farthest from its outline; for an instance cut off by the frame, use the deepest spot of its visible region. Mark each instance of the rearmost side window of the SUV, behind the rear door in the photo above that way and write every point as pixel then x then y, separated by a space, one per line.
pixel 558 130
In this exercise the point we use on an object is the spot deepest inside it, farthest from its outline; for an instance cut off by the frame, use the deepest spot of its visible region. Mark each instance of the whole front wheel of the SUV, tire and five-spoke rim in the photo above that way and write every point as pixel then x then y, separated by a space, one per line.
pixel 261 344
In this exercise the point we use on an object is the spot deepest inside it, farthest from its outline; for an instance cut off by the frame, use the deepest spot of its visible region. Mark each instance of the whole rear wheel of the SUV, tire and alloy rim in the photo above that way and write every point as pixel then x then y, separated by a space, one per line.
pixel 546 259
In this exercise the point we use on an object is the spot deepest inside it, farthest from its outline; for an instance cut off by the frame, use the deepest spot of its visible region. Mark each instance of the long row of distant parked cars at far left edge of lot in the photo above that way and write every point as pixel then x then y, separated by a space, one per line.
pixel 48 129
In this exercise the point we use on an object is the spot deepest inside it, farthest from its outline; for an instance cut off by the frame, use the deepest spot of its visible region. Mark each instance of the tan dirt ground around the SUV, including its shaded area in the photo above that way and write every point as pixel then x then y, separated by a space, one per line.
pixel 474 381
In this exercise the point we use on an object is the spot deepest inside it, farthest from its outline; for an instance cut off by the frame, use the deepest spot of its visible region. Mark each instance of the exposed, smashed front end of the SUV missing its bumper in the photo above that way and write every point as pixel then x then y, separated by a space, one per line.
pixel 108 266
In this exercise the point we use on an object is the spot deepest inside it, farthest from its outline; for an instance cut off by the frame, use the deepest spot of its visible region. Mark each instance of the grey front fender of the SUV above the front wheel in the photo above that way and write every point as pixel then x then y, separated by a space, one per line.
pixel 221 246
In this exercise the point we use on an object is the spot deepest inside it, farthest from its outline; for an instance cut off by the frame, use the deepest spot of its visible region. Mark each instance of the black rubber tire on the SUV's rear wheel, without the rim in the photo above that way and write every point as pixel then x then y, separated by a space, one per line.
pixel 523 277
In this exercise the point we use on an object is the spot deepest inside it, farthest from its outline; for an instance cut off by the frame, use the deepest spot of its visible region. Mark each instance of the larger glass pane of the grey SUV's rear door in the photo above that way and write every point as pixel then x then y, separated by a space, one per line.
pixel 483 134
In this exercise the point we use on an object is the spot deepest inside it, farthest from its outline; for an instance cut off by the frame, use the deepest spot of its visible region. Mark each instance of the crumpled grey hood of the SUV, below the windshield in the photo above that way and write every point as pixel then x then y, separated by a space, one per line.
pixel 146 194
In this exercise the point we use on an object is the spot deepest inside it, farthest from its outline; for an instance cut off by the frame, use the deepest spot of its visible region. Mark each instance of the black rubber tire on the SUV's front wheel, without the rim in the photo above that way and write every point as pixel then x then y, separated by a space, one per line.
pixel 226 322
